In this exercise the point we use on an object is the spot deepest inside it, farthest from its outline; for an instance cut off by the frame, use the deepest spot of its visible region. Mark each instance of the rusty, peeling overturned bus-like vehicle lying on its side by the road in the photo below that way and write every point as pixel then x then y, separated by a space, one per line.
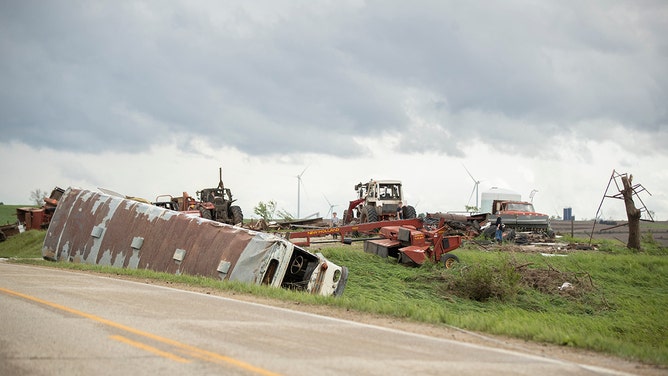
pixel 96 228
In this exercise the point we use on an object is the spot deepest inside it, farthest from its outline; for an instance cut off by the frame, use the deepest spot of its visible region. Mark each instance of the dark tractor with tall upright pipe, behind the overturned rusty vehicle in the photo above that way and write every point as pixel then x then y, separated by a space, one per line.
pixel 216 204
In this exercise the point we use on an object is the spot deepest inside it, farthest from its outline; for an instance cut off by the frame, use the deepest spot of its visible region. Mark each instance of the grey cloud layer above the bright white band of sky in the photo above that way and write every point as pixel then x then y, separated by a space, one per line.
pixel 284 77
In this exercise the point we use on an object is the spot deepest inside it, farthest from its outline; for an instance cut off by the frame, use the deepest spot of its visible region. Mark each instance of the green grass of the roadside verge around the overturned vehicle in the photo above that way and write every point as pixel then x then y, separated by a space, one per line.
pixel 616 305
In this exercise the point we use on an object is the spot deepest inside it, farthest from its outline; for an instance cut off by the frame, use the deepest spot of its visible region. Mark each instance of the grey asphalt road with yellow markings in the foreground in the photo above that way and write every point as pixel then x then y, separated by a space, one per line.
pixel 56 322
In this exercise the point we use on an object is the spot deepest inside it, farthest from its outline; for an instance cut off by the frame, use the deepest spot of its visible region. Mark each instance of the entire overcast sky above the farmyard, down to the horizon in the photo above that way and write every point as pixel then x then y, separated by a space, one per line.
pixel 152 97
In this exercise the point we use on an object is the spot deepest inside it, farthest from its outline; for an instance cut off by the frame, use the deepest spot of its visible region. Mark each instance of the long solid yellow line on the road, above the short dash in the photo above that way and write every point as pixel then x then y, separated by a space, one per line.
pixel 202 354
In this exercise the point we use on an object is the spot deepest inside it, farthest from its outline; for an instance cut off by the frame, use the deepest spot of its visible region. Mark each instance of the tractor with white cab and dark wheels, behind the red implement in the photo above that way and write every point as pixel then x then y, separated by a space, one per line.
pixel 378 200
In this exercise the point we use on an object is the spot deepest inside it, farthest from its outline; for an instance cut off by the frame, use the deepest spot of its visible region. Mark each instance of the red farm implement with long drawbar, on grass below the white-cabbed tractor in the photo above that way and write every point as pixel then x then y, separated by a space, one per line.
pixel 408 240
